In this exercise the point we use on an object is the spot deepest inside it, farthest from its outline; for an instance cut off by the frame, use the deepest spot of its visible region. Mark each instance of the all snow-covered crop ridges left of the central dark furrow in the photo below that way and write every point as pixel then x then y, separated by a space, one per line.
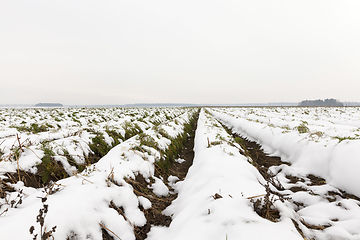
pixel 79 205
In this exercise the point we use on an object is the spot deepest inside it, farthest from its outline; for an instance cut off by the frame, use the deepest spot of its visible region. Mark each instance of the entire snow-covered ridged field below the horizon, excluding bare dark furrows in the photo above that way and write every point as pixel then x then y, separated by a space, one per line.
pixel 215 200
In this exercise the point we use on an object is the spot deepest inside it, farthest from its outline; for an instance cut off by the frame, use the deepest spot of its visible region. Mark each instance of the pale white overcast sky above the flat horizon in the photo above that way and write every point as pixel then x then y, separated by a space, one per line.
pixel 178 51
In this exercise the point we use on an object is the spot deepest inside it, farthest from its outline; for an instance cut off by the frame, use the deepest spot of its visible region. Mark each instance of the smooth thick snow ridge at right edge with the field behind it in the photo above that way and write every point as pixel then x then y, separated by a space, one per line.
pixel 321 141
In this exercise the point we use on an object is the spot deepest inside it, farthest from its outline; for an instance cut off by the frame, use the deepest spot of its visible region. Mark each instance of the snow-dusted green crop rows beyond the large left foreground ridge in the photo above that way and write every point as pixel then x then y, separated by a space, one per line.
pixel 69 132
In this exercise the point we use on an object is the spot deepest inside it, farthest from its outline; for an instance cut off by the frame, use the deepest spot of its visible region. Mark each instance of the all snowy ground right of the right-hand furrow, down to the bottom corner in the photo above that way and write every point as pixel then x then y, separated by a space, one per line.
pixel 320 141
